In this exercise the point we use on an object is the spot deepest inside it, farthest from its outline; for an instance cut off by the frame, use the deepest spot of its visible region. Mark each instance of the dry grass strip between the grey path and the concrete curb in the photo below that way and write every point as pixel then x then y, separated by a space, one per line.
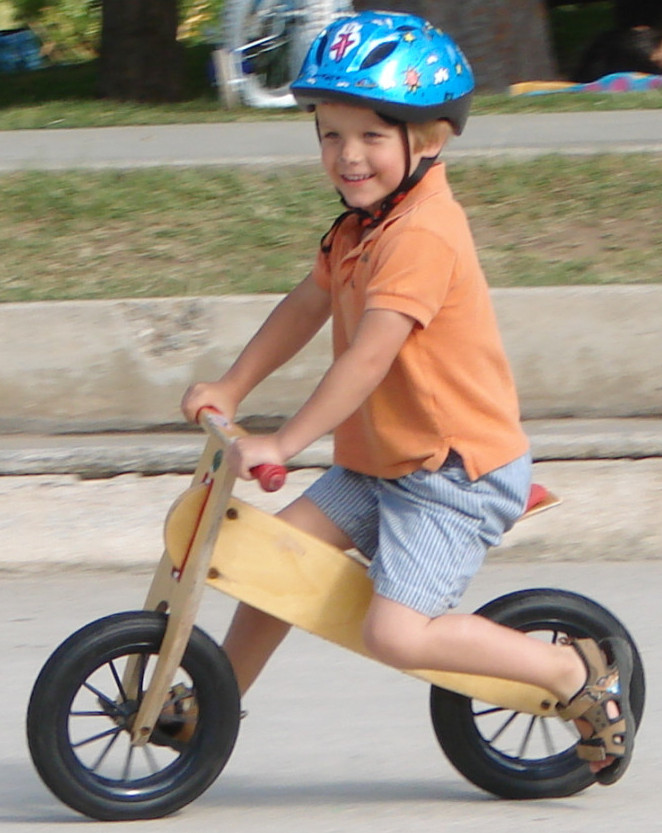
pixel 165 232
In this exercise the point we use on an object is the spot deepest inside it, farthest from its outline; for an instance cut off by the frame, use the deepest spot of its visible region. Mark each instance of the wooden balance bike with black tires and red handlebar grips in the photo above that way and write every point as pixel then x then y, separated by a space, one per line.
pixel 137 713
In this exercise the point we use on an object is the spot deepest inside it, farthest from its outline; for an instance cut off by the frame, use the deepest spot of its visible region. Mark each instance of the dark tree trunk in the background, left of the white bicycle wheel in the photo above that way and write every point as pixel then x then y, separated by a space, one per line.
pixel 140 57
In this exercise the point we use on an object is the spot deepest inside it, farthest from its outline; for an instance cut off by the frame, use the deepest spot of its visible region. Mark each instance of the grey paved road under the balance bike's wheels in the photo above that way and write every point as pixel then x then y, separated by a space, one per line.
pixel 332 743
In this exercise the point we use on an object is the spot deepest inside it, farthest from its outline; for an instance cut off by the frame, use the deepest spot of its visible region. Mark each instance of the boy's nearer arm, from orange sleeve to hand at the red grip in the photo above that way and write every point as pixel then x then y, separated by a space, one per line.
pixel 344 387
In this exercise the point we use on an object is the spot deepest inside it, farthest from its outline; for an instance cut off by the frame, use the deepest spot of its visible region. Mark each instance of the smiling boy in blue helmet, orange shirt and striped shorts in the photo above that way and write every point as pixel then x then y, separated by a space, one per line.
pixel 431 463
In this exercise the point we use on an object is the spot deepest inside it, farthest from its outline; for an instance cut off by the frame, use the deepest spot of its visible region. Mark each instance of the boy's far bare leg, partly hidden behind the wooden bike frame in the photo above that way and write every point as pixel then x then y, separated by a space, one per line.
pixel 253 636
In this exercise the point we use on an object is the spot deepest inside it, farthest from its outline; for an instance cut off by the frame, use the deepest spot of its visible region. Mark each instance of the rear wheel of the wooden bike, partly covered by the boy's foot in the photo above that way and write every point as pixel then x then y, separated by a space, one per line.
pixel 516 755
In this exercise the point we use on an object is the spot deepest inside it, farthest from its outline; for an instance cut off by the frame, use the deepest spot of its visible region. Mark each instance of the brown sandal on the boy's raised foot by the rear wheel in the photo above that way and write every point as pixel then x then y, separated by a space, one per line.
pixel 608 673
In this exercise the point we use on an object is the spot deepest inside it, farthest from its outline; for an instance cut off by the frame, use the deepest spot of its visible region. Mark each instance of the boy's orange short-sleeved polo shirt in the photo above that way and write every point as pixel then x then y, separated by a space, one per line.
pixel 450 387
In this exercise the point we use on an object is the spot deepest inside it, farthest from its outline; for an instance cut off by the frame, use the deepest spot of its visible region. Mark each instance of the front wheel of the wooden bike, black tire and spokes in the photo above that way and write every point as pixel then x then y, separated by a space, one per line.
pixel 79 714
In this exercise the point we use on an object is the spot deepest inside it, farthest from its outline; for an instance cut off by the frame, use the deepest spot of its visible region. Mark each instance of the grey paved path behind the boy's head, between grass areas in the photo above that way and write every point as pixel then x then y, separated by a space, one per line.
pixel 282 142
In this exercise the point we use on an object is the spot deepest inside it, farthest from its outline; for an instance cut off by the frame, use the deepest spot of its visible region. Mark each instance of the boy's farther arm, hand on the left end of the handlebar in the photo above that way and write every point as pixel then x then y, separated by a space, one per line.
pixel 291 325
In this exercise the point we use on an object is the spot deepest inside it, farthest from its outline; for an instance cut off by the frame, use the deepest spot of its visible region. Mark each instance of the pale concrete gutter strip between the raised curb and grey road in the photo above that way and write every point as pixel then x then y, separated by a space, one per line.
pixel 610 512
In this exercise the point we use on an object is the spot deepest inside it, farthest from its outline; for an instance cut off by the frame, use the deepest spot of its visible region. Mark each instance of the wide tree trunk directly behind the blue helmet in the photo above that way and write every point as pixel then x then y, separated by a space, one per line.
pixel 506 41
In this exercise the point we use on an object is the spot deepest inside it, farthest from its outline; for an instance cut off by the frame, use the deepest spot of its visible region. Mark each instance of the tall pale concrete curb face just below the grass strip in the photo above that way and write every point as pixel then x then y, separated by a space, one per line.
pixel 98 366
